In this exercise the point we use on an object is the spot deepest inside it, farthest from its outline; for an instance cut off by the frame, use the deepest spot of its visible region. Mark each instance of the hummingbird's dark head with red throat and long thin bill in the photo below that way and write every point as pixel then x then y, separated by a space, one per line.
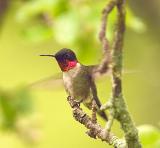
pixel 66 59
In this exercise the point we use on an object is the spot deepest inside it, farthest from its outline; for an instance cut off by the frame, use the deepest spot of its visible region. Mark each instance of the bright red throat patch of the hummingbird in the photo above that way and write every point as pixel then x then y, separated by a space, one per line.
pixel 68 65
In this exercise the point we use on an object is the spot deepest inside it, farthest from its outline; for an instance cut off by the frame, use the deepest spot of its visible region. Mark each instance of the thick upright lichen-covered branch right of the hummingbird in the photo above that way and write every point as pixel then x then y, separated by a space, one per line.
pixel 119 106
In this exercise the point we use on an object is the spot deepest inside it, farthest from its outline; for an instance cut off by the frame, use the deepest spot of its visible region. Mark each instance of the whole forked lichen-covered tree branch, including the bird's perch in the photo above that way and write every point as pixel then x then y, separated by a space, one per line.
pixel 116 105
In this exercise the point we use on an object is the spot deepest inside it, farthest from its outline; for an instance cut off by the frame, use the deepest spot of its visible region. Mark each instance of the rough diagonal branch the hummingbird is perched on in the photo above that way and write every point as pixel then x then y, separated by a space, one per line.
pixel 84 119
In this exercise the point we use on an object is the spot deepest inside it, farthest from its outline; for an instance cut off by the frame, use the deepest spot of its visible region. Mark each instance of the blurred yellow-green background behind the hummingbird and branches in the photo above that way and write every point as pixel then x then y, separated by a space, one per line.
pixel 41 117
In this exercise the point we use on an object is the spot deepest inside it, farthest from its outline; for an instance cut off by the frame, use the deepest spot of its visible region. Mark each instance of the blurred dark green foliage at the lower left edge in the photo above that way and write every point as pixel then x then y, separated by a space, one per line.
pixel 14 103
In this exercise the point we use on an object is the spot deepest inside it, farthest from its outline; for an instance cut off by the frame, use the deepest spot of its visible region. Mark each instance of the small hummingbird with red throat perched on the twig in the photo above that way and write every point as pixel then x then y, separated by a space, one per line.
pixel 78 79
